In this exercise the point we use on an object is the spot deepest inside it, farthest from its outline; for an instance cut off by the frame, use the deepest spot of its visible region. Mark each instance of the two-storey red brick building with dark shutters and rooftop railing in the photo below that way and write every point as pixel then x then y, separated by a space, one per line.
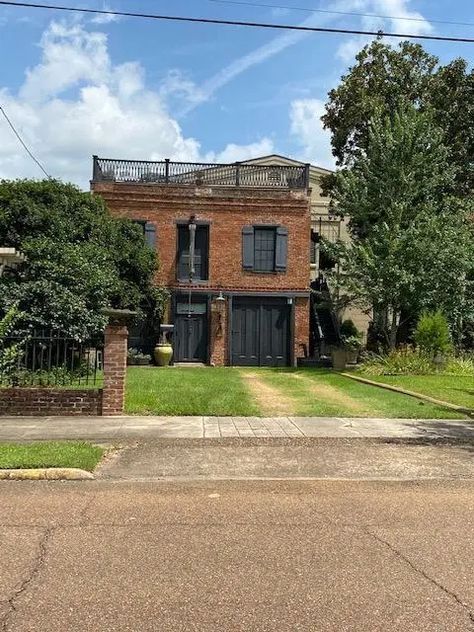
pixel 233 243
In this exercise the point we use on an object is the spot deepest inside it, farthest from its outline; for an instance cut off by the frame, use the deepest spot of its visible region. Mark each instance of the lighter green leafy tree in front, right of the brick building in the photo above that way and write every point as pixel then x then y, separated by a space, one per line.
pixel 412 246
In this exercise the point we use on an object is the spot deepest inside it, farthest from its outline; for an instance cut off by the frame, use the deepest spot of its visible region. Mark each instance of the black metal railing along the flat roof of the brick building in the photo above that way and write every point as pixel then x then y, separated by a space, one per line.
pixel 169 172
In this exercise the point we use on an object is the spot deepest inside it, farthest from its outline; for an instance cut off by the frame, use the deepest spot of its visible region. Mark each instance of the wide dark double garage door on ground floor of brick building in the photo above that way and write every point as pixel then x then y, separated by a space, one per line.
pixel 260 332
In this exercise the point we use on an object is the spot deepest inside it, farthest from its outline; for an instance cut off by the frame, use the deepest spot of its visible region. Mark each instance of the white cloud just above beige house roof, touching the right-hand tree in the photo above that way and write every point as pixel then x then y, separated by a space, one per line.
pixel 307 129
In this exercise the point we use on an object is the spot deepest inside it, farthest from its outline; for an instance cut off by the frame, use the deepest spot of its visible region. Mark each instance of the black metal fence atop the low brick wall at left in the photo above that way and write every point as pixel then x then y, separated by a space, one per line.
pixel 48 358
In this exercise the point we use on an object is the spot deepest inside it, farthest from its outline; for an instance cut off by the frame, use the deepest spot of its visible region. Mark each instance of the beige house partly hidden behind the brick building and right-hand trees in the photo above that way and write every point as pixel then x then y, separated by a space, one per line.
pixel 323 225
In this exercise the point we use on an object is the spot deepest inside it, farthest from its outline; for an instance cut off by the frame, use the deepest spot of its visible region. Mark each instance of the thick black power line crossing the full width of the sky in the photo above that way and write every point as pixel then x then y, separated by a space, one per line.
pixel 262 25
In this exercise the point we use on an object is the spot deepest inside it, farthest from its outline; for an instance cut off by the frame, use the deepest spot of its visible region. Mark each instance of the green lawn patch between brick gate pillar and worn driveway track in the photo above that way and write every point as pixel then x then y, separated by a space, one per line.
pixel 187 391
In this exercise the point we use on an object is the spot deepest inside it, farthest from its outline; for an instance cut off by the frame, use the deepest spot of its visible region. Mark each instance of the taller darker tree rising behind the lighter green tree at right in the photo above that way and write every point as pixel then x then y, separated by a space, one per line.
pixel 384 79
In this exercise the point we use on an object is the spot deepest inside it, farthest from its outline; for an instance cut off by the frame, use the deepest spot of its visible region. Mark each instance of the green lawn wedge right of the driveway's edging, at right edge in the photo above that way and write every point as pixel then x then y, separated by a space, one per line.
pixel 455 389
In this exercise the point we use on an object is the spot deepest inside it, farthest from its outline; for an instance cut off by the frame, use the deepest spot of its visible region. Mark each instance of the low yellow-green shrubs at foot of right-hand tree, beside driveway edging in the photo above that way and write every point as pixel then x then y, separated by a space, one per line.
pixel 403 361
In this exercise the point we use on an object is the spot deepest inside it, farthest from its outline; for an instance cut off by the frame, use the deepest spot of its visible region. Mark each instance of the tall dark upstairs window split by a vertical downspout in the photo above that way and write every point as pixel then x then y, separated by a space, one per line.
pixel 201 253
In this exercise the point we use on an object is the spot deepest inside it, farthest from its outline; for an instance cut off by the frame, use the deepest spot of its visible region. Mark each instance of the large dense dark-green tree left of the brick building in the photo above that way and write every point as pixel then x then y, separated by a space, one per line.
pixel 80 259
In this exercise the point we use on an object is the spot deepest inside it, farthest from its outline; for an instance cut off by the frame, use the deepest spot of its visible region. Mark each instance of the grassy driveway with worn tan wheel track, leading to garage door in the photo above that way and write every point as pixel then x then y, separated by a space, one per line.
pixel 322 392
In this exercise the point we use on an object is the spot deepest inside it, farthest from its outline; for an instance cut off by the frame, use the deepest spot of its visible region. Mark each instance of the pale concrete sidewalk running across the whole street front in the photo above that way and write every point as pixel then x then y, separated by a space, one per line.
pixel 152 428
